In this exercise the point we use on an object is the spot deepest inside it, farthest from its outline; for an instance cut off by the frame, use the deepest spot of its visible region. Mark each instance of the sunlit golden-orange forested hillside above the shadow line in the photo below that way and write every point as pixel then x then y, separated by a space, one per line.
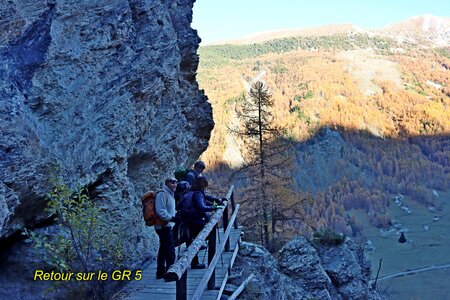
pixel 354 82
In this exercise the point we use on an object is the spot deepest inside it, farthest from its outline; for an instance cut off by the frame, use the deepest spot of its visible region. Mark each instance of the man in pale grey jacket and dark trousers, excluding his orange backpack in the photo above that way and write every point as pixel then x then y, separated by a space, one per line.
pixel 165 209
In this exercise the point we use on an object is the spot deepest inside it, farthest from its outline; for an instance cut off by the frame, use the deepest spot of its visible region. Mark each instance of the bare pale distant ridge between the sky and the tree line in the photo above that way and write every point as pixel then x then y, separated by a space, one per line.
pixel 426 29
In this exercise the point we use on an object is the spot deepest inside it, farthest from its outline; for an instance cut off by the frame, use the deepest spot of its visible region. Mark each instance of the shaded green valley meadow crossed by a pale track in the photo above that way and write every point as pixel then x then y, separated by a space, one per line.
pixel 419 268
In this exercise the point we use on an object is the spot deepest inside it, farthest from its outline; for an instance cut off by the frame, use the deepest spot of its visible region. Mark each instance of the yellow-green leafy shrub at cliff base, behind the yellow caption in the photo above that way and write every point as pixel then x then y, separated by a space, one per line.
pixel 87 239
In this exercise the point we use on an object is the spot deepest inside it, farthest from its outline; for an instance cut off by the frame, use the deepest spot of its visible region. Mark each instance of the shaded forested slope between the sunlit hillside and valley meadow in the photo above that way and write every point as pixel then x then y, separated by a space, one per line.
pixel 349 169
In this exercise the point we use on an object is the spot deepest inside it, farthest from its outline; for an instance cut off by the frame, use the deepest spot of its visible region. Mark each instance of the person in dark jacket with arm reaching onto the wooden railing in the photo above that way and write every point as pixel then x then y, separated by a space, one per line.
pixel 194 208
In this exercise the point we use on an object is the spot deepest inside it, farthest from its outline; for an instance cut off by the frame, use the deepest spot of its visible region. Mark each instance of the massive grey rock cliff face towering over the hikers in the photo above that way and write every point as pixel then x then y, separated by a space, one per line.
pixel 106 91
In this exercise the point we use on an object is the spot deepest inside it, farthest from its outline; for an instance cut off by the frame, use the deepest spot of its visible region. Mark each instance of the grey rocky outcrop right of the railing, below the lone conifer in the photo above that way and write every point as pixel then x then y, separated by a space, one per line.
pixel 303 271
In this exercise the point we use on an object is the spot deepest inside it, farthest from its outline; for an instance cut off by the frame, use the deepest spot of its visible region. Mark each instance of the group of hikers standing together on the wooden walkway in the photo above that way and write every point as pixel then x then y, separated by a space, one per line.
pixel 184 207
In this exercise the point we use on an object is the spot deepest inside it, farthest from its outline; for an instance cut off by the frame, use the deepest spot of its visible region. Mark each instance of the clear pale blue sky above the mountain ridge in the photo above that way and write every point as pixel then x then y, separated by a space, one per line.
pixel 218 20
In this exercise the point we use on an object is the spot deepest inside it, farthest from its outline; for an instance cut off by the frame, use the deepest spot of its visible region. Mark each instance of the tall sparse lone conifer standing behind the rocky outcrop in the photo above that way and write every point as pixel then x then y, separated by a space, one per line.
pixel 270 191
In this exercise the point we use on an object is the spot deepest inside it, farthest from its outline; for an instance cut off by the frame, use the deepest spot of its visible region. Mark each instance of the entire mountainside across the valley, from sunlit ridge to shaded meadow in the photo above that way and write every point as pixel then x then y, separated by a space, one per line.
pixel 369 117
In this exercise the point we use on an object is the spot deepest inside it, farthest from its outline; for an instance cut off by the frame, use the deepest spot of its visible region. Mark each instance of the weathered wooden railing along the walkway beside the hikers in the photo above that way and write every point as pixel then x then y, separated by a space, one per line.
pixel 178 271
